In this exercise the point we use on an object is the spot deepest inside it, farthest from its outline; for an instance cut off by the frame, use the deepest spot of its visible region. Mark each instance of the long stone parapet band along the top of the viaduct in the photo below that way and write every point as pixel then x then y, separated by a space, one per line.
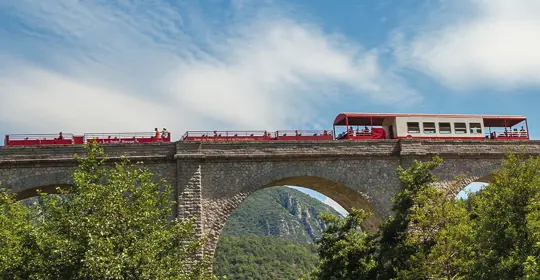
pixel 293 149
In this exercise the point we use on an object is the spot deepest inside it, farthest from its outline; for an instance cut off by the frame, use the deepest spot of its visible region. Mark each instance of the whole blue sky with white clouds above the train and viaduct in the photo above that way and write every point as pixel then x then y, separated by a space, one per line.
pixel 114 66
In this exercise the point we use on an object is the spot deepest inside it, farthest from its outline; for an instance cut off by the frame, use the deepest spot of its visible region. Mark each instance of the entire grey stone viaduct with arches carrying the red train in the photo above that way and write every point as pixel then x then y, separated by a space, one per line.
pixel 212 179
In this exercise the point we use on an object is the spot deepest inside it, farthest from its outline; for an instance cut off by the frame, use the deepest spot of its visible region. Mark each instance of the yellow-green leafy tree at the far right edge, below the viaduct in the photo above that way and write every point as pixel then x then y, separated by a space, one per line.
pixel 506 222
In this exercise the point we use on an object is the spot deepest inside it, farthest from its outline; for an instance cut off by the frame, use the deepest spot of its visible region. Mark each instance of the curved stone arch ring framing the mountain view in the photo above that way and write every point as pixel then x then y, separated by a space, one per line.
pixel 328 180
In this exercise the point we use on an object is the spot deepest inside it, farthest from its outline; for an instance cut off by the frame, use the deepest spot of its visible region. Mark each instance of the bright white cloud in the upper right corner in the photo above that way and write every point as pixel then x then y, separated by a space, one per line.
pixel 495 44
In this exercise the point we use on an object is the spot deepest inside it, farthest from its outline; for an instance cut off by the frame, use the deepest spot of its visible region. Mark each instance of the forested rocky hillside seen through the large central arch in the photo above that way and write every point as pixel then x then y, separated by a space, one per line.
pixel 271 236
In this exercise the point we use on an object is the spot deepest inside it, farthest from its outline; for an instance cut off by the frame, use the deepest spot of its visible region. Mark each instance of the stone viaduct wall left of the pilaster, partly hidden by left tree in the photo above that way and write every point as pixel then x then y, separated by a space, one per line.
pixel 25 169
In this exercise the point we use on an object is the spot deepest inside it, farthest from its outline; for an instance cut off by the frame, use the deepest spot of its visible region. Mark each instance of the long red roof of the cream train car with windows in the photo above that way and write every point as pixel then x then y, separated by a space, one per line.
pixel 377 118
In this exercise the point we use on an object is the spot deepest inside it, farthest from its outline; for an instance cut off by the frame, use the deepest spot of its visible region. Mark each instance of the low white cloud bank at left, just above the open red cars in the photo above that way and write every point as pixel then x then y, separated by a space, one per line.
pixel 34 98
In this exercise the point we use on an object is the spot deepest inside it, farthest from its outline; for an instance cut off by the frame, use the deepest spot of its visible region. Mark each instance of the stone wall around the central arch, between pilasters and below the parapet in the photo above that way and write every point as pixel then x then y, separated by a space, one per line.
pixel 360 183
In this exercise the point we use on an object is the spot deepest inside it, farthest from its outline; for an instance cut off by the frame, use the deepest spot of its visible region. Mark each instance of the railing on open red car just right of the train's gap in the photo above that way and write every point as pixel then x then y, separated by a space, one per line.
pixel 217 135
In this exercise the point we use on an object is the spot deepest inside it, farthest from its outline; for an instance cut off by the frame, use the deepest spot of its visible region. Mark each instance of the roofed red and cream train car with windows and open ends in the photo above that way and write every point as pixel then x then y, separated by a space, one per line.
pixel 365 126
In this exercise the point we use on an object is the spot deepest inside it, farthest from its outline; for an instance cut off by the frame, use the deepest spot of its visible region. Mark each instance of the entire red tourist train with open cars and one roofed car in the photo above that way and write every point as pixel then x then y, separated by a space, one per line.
pixel 353 126
